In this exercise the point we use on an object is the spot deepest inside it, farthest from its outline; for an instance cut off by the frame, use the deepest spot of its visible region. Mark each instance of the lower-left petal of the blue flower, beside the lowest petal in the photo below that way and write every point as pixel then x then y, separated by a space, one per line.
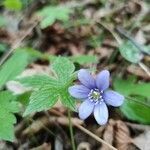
pixel 85 109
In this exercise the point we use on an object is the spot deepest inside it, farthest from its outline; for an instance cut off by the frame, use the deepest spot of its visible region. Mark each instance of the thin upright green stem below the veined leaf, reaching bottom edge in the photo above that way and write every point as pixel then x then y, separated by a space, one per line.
pixel 71 131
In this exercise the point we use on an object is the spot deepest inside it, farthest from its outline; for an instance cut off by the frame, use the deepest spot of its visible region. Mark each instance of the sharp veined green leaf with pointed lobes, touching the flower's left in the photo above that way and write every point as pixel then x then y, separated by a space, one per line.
pixel 48 89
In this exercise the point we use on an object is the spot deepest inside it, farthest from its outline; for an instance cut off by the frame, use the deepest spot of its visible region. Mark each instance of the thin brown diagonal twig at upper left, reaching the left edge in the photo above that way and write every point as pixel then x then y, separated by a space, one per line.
pixel 17 44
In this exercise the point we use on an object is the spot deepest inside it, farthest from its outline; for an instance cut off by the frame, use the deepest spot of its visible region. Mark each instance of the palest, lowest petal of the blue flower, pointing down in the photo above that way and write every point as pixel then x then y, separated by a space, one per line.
pixel 101 113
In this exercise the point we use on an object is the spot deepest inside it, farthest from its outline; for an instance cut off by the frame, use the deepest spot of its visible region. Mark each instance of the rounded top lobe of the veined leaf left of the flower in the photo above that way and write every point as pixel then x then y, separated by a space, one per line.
pixel 63 69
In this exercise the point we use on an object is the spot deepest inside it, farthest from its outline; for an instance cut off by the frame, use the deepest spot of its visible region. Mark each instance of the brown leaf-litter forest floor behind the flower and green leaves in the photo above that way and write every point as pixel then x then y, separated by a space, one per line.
pixel 94 29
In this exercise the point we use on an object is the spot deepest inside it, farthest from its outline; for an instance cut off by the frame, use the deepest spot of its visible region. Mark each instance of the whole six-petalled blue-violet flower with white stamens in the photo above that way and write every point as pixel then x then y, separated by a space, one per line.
pixel 95 96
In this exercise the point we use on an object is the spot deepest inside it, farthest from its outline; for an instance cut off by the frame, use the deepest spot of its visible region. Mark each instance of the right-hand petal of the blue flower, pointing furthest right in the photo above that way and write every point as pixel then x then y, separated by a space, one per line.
pixel 113 98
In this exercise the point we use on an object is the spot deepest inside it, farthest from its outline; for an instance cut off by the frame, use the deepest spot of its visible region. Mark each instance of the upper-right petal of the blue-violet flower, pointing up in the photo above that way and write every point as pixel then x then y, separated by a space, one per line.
pixel 102 80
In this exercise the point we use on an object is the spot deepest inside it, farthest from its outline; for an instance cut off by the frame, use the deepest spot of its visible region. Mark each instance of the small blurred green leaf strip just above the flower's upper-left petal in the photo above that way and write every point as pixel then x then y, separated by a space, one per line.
pixel 84 59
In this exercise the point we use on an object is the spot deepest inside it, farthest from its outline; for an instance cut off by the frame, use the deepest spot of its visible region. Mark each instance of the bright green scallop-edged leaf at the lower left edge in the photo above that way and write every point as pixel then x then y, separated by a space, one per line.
pixel 7 107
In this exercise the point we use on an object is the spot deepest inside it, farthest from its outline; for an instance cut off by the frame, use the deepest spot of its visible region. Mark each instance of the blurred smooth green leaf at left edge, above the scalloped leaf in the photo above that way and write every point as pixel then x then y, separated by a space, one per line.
pixel 13 66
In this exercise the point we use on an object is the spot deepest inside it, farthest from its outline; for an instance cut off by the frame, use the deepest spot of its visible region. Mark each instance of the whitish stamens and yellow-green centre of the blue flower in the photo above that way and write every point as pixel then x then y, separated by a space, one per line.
pixel 95 95
